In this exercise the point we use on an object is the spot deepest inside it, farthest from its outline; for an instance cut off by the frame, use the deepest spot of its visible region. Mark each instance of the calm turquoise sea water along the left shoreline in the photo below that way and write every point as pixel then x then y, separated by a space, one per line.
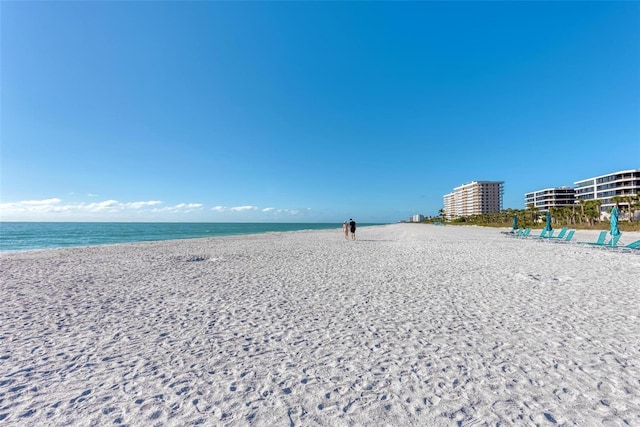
pixel 20 236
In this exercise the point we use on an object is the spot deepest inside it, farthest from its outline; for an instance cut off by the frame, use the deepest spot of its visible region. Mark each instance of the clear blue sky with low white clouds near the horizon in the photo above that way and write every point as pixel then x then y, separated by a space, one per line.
pixel 307 111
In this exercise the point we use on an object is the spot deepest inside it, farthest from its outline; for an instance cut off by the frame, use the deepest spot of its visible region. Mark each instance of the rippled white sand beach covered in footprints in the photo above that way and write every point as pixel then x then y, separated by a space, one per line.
pixel 410 325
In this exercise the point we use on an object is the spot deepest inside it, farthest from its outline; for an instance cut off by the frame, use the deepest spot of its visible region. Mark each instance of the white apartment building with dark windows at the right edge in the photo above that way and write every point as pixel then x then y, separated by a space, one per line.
pixel 604 187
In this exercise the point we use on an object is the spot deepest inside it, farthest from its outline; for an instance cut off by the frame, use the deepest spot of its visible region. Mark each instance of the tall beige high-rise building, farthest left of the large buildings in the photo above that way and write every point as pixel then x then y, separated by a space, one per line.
pixel 475 198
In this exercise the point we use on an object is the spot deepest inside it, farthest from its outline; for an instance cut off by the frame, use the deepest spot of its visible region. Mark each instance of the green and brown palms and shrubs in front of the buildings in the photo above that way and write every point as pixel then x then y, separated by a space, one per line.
pixel 584 215
